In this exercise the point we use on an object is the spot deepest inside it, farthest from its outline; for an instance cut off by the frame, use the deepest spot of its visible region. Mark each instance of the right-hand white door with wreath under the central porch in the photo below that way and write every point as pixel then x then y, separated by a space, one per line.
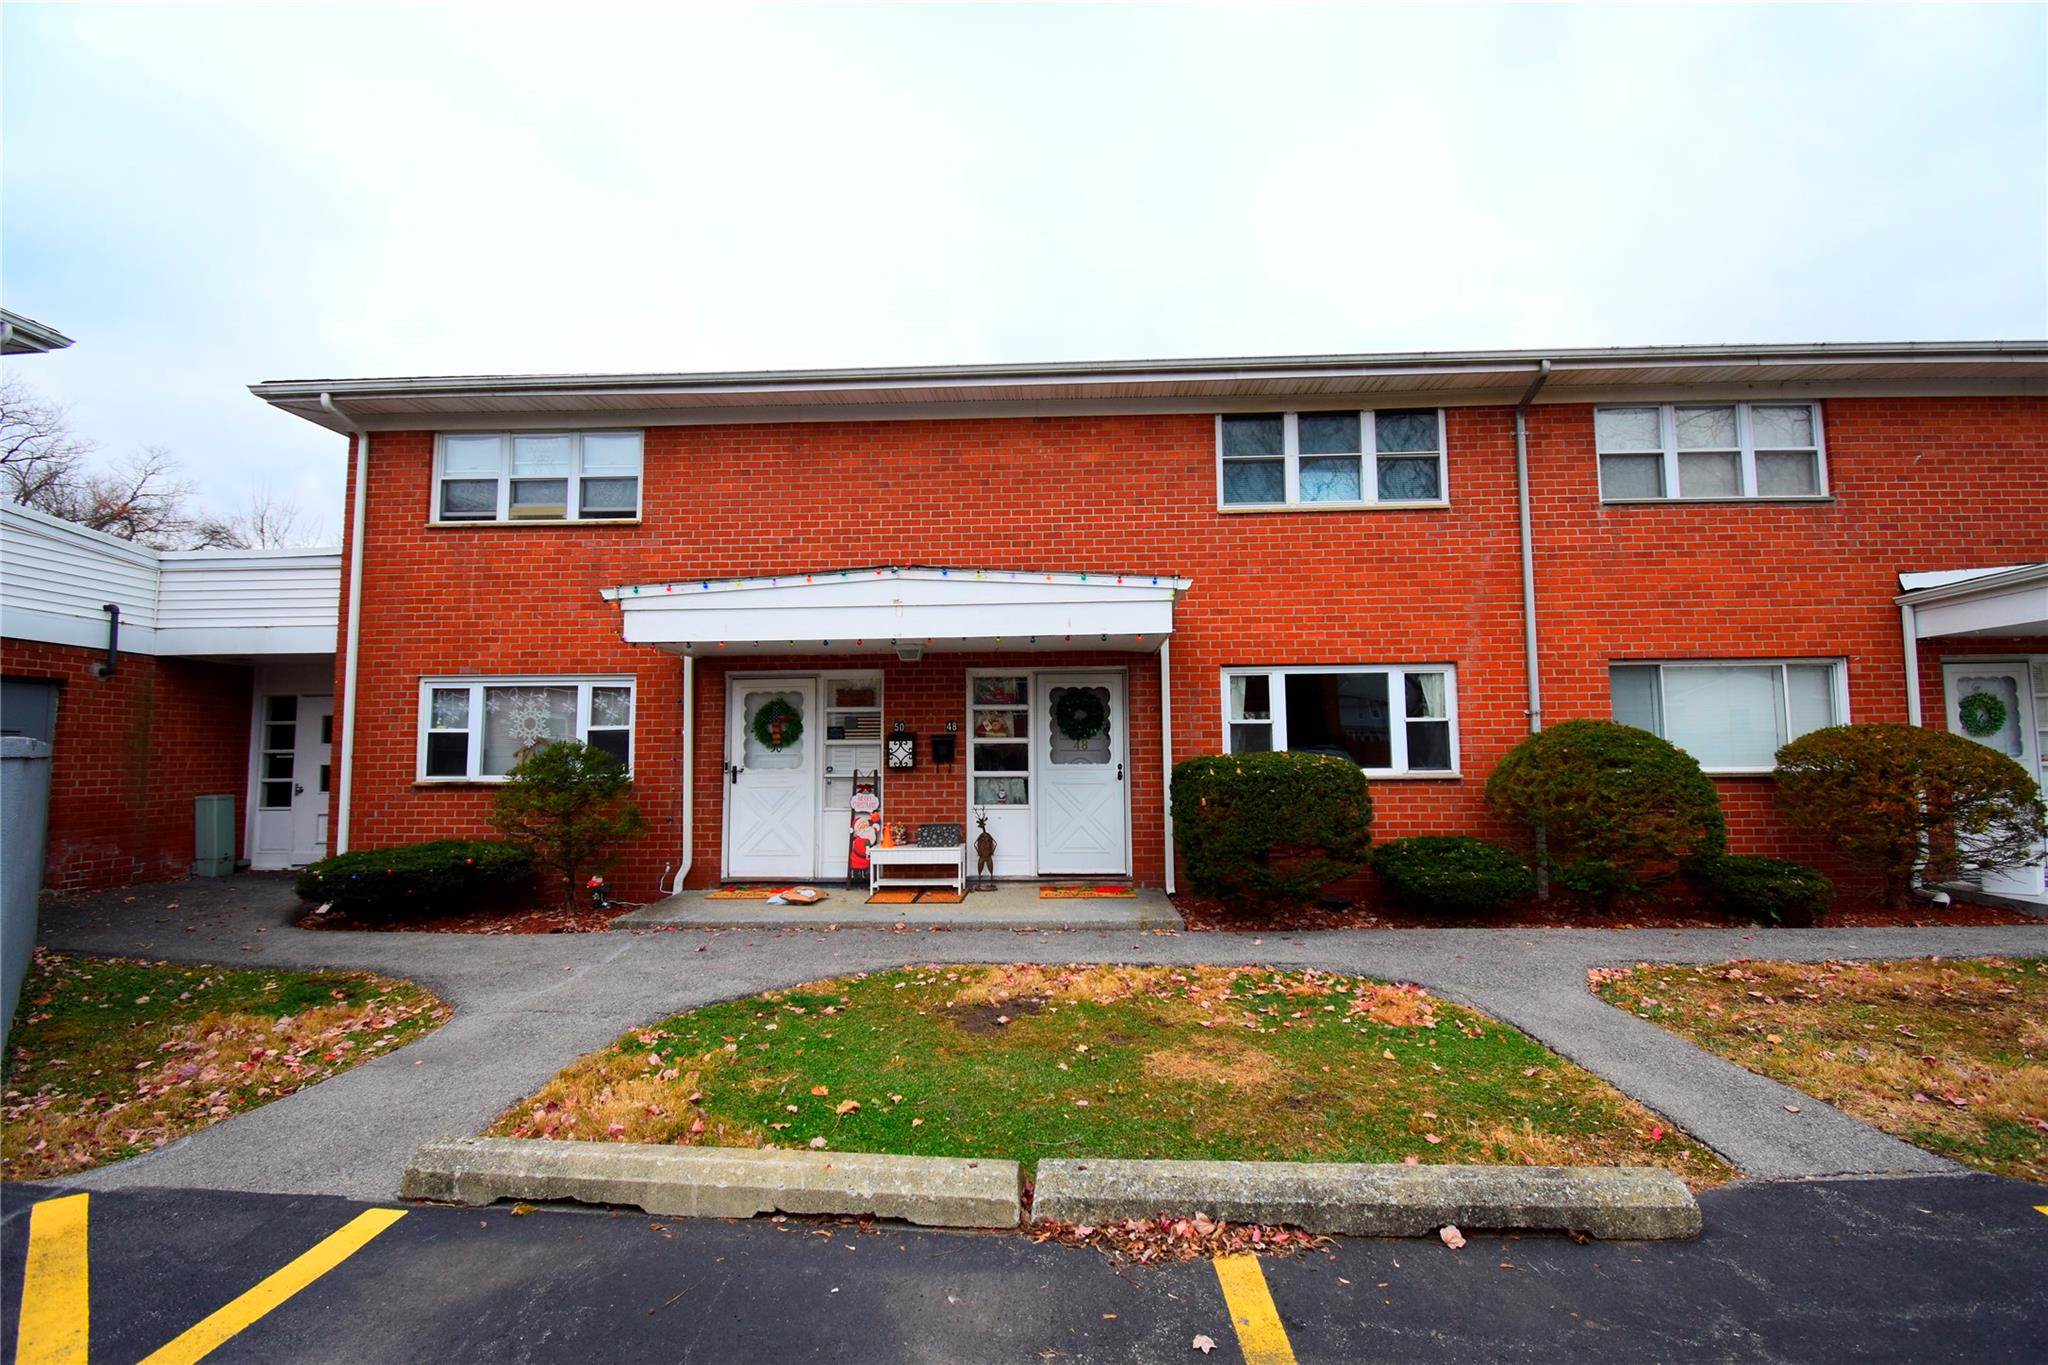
pixel 1082 791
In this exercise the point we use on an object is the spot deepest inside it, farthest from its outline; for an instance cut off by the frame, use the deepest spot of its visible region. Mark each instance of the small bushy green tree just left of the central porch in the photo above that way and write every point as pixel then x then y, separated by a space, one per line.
pixel 568 803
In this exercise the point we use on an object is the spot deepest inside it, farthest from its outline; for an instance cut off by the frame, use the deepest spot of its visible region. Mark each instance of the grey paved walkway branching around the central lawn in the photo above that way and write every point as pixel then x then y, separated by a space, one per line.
pixel 525 1006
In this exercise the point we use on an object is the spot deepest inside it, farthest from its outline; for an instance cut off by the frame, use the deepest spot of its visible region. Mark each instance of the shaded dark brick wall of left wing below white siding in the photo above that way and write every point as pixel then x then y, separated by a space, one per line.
pixel 130 756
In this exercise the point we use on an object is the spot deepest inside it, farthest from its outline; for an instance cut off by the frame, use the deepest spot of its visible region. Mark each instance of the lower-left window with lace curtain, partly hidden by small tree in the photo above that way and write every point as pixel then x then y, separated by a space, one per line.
pixel 478 730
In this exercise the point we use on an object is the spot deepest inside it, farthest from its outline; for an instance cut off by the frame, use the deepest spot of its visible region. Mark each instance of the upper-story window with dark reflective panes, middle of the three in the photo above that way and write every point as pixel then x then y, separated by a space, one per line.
pixel 1322 459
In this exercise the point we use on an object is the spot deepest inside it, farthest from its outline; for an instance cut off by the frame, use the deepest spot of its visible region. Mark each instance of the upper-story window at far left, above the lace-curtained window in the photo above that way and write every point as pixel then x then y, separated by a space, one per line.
pixel 538 476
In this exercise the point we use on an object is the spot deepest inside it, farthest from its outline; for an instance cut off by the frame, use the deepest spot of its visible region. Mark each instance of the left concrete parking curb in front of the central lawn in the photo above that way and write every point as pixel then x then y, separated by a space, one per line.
pixel 691 1182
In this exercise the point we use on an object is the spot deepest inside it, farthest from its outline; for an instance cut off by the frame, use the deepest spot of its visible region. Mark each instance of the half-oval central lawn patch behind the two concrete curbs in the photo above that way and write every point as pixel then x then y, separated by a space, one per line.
pixel 1029 1063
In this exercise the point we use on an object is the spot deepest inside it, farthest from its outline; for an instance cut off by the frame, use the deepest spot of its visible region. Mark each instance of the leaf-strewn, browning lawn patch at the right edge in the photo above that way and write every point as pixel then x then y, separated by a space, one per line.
pixel 1947 1055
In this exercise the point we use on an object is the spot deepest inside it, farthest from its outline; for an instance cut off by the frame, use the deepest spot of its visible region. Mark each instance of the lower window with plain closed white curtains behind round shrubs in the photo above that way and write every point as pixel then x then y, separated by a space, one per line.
pixel 1736 715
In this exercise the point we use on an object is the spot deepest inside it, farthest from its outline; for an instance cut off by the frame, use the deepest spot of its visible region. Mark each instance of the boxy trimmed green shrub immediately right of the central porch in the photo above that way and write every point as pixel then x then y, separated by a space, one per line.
pixel 1271 826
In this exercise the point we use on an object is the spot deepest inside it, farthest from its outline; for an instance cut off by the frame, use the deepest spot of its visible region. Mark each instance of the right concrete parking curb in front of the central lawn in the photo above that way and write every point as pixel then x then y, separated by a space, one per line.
pixel 1369 1200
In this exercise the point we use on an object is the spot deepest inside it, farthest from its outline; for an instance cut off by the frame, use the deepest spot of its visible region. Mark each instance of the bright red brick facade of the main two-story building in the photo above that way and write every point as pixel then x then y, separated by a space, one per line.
pixel 1918 484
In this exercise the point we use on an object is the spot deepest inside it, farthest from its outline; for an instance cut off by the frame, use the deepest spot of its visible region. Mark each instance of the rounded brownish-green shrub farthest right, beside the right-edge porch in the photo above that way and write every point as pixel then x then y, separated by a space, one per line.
pixel 1902 801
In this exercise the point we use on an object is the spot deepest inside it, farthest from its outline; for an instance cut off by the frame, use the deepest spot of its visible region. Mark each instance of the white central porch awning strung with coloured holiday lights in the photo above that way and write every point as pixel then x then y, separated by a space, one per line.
pixel 904 609
